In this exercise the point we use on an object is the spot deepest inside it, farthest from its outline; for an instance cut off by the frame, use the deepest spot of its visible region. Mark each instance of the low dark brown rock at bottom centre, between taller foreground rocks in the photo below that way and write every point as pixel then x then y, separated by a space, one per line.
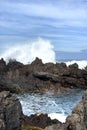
pixel 39 120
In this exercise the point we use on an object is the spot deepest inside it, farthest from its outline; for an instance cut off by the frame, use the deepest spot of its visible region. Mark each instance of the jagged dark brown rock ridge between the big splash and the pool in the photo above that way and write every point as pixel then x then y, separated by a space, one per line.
pixel 39 77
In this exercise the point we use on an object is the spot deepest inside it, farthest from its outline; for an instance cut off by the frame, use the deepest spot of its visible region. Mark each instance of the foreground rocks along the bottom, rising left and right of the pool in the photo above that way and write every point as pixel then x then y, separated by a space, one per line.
pixel 12 118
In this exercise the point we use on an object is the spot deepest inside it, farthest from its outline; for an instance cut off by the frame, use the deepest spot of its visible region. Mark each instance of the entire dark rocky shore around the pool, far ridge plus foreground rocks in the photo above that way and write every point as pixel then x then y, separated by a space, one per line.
pixel 38 77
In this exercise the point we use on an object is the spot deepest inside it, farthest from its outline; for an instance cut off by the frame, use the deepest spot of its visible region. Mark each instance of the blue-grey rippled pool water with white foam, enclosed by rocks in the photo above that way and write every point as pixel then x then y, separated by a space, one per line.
pixel 56 106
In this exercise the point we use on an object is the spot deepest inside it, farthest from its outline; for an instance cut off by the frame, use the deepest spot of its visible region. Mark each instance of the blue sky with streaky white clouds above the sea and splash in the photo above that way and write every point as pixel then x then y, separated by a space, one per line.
pixel 62 22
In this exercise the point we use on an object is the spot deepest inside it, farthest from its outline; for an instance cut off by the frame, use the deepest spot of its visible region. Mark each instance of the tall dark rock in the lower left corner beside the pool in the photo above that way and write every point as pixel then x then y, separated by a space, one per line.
pixel 10 112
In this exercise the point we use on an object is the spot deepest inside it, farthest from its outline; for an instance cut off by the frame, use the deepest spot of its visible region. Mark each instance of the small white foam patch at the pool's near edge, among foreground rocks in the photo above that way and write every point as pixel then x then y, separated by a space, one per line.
pixel 58 116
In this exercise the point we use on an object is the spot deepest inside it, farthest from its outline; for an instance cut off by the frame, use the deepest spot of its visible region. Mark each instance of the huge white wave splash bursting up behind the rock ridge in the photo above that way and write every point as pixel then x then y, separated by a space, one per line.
pixel 27 52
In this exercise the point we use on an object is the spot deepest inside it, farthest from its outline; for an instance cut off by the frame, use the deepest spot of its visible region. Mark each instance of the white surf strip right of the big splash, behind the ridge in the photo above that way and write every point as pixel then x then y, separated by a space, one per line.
pixel 82 64
